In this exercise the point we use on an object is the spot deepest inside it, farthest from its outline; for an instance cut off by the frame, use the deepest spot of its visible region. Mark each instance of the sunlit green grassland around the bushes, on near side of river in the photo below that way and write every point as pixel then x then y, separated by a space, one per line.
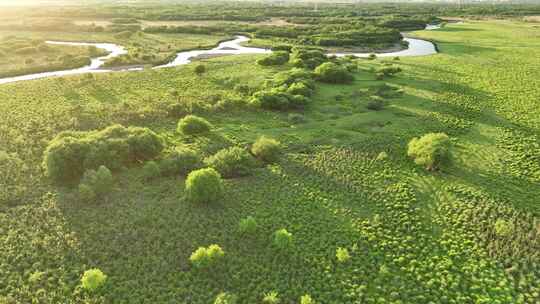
pixel 413 236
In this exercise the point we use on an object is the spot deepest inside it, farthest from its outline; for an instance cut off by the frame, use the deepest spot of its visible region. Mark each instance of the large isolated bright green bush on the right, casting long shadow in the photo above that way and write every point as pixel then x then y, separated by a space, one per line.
pixel 431 150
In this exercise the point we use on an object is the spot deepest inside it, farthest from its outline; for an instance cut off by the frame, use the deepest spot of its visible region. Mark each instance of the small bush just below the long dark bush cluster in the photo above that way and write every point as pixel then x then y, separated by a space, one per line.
pixel 95 184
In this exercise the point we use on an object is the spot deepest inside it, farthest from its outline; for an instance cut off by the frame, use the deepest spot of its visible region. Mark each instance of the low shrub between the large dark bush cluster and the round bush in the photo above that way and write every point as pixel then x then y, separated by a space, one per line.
pixel 181 161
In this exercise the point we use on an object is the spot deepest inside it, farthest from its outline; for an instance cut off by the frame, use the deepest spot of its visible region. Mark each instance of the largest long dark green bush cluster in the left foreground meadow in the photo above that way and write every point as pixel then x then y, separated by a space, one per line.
pixel 70 154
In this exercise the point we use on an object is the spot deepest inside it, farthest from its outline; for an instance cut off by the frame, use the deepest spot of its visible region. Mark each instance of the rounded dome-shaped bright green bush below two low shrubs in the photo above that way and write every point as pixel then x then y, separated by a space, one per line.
pixel 204 186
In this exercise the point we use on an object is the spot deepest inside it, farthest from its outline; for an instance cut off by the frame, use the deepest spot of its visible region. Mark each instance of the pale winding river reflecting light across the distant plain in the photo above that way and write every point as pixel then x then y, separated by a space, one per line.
pixel 417 47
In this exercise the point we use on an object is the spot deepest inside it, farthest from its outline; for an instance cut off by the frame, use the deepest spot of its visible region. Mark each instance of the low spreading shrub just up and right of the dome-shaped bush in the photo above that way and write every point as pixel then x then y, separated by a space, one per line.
pixel 231 162
